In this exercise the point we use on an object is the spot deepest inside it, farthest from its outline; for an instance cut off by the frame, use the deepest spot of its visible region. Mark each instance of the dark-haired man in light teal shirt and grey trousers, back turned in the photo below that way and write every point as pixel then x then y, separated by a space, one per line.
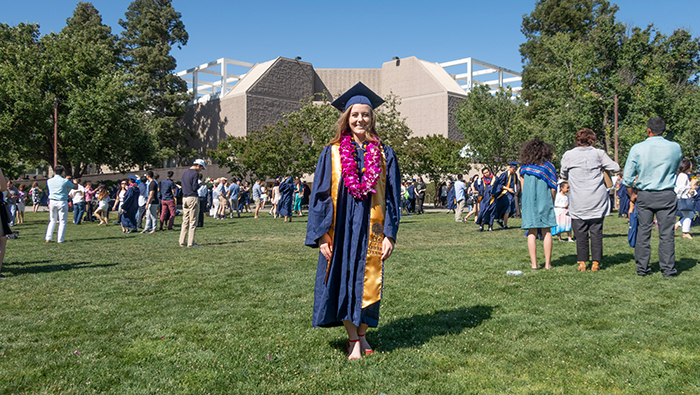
pixel 651 168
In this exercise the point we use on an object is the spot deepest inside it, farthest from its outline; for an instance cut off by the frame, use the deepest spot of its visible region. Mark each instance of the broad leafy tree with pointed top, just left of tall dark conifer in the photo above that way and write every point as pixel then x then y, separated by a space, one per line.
pixel 99 121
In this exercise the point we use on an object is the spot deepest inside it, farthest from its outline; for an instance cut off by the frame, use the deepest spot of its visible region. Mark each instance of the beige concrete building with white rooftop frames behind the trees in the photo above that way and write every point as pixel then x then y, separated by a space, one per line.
pixel 228 104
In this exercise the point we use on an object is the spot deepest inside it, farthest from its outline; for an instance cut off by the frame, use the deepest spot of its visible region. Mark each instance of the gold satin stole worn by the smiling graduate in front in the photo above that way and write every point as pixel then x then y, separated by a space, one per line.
pixel 372 290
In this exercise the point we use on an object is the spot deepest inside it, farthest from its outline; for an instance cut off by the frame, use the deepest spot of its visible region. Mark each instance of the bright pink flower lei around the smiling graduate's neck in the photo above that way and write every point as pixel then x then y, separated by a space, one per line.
pixel 359 189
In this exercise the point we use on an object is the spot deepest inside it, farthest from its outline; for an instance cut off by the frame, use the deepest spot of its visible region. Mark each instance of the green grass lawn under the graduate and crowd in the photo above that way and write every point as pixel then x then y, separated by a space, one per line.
pixel 136 314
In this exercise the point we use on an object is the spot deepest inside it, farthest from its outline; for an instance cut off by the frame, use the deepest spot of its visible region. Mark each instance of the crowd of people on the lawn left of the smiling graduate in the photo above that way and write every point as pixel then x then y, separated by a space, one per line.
pixel 149 204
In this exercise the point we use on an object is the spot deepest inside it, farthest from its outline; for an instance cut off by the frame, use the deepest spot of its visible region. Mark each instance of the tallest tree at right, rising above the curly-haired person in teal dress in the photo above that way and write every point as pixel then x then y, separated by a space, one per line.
pixel 570 68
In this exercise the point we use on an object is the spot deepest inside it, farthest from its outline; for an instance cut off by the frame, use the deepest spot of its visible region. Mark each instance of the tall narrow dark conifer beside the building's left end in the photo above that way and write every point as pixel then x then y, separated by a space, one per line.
pixel 151 29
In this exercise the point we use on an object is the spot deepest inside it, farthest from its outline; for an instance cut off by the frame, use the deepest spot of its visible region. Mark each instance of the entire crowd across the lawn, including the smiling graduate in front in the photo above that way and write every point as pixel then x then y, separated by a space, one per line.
pixel 355 206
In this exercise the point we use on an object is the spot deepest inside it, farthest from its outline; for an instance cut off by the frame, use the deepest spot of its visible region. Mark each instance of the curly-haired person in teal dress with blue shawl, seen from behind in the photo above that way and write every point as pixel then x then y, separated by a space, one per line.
pixel 539 189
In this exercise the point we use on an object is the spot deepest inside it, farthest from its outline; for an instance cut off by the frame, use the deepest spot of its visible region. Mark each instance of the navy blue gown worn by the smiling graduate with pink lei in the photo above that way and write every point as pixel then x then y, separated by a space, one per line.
pixel 340 298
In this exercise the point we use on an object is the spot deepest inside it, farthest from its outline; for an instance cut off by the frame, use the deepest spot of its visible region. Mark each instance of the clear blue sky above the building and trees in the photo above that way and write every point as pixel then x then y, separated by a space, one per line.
pixel 359 34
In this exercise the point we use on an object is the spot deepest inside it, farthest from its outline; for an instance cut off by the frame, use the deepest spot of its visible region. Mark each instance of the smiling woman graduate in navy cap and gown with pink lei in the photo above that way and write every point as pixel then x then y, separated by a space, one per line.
pixel 353 219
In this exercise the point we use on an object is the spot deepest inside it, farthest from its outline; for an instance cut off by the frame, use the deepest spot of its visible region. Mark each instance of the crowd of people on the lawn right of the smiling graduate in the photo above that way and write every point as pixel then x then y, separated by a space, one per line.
pixel 575 200
